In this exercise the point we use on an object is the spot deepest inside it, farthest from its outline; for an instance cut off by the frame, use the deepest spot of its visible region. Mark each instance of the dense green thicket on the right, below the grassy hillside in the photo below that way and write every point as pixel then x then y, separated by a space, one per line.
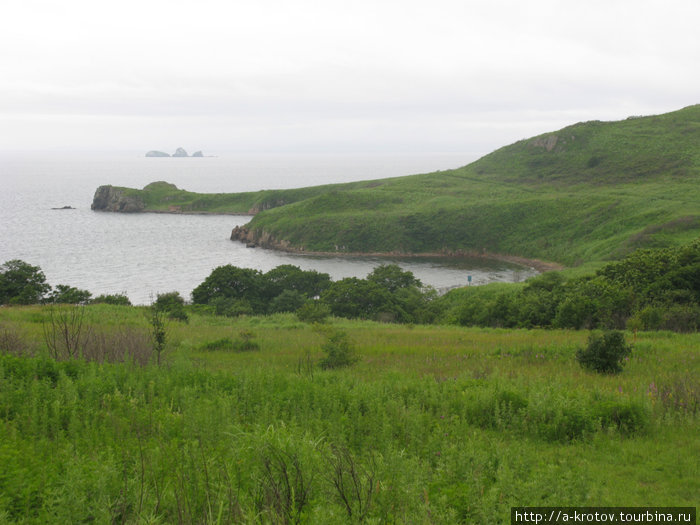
pixel 651 289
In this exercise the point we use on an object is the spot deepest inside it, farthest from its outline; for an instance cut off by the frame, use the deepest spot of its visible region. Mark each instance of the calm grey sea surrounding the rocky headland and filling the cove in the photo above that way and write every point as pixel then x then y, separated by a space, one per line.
pixel 142 255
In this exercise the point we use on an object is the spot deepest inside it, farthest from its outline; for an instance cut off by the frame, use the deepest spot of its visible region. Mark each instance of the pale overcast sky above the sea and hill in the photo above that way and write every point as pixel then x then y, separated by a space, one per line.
pixel 334 76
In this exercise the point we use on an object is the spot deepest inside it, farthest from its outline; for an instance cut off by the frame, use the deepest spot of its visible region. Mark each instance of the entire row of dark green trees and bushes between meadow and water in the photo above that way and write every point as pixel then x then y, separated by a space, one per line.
pixel 650 289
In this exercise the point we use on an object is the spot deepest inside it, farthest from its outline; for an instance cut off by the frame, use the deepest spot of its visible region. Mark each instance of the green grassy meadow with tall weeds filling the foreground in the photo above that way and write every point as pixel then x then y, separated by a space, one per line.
pixel 432 424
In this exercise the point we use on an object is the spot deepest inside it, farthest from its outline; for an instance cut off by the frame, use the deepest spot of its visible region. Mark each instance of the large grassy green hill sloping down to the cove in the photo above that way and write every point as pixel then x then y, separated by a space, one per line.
pixel 592 191
